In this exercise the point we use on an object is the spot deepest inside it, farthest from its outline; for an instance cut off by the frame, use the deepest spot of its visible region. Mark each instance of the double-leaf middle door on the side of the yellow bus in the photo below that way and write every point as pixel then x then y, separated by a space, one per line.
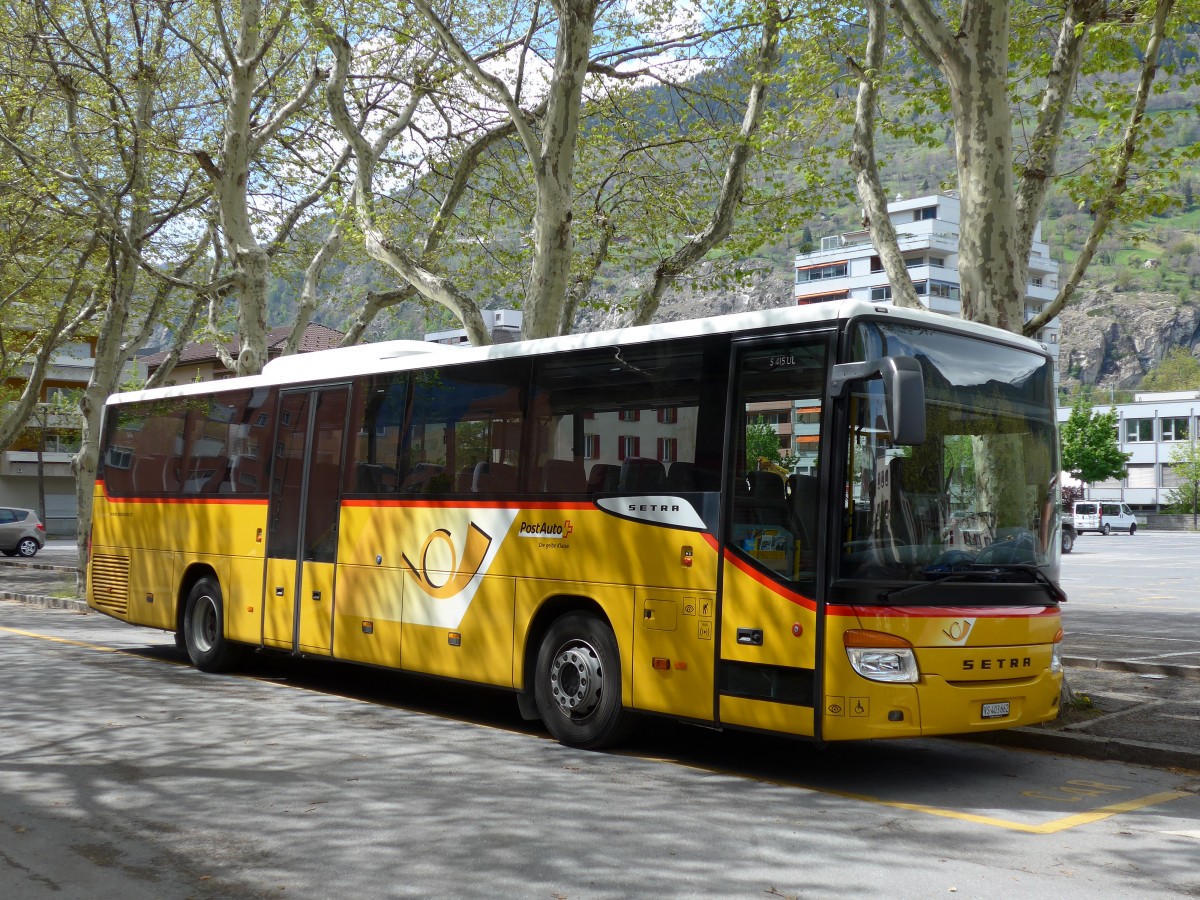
pixel 302 532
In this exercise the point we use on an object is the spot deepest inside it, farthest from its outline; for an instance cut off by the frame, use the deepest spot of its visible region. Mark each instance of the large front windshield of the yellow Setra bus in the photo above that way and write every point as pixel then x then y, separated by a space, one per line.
pixel 979 499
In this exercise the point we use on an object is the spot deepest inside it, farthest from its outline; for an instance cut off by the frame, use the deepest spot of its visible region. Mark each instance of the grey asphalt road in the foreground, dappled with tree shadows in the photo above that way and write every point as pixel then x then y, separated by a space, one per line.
pixel 128 775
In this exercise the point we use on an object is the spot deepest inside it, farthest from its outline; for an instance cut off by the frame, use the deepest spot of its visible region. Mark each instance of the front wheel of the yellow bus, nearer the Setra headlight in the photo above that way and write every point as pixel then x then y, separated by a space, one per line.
pixel 578 683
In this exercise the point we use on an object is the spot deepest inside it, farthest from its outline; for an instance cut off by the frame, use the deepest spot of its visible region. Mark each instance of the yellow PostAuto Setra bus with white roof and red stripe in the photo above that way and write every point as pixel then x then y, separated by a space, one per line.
pixel 592 523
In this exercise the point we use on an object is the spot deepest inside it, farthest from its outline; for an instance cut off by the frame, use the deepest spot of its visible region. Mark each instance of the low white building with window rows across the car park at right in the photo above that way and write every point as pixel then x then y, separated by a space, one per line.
pixel 1149 429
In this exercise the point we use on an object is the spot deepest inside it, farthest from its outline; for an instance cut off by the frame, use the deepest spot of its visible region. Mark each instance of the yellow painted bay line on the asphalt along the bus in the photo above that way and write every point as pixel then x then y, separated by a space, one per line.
pixel 1053 827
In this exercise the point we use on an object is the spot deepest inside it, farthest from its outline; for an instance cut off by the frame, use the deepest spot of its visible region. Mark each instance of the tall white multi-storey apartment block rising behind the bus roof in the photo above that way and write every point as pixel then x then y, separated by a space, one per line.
pixel 848 266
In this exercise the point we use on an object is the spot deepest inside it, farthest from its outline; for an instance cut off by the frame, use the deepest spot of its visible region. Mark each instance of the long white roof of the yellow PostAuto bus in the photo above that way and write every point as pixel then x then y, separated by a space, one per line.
pixel 400 356
